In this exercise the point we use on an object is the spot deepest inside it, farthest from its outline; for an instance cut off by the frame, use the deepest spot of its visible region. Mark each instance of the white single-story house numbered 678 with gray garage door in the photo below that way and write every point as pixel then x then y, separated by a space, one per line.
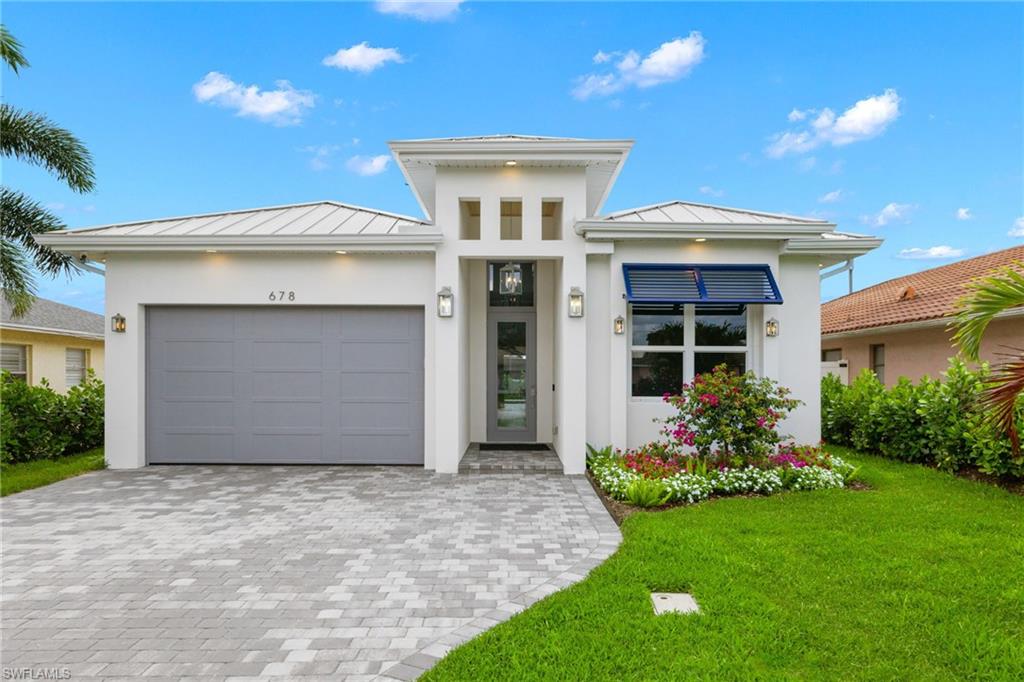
pixel 516 312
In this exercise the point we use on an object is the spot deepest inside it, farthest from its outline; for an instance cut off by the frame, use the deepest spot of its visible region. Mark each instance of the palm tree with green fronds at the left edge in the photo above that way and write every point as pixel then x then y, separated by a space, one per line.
pixel 37 141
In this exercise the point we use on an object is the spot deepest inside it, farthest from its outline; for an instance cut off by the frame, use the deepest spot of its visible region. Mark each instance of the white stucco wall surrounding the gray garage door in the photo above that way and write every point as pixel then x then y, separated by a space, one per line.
pixel 134 282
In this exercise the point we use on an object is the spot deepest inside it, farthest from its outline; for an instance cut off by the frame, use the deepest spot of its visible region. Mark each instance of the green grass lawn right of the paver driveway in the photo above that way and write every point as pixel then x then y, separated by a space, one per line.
pixel 921 578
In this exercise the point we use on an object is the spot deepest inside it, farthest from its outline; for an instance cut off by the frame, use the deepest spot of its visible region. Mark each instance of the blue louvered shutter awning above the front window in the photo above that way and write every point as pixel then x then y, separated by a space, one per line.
pixel 680 283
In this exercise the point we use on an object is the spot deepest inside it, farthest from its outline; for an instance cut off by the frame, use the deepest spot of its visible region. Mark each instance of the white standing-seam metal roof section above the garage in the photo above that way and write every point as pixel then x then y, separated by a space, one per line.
pixel 318 219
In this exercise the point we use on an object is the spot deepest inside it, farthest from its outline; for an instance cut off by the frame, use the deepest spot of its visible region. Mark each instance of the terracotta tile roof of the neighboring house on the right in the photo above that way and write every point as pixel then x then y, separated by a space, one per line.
pixel 926 295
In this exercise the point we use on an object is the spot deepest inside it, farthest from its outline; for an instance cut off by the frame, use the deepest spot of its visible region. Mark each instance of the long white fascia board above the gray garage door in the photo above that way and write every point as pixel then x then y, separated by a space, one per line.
pixel 71 243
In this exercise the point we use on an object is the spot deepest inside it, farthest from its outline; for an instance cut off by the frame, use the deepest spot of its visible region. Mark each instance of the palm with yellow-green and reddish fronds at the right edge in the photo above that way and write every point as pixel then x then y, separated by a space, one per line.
pixel 987 299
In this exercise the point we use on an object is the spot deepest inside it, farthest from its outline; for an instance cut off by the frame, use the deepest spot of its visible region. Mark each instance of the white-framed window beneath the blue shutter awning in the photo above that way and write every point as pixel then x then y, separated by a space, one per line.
pixel 671 344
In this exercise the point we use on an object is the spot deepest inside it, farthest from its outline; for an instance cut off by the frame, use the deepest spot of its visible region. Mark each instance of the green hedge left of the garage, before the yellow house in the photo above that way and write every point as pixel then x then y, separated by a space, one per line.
pixel 37 423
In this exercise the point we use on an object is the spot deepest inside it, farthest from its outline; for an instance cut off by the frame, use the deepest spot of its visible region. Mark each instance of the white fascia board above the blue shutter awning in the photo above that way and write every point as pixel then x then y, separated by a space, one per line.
pixel 620 231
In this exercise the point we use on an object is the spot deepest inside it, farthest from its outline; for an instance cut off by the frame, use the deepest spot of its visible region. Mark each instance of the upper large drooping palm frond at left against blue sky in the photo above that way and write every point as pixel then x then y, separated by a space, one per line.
pixel 38 141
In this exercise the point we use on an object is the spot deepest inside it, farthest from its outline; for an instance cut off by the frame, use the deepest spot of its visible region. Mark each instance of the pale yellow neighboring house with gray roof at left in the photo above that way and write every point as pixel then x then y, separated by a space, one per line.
pixel 52 342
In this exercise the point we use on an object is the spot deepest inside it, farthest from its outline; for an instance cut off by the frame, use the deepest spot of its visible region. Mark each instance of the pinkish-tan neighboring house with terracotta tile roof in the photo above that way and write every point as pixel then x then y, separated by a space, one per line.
pixel 900 328
